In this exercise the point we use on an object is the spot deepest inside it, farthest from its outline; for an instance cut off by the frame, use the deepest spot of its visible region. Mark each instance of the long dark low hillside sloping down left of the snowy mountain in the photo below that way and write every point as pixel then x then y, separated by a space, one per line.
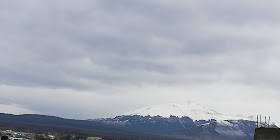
pixel 43 123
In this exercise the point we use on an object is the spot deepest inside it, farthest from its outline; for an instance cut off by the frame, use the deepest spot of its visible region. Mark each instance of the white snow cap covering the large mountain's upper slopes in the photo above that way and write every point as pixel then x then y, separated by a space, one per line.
pixel 191 109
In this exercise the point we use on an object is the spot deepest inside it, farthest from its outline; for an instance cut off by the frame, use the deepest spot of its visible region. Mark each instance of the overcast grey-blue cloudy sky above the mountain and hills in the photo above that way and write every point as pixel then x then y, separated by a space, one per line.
pixel 101 58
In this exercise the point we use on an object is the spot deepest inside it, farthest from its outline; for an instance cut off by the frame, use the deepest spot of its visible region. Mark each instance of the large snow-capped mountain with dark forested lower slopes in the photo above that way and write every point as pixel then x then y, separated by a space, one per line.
pixel 189 120
